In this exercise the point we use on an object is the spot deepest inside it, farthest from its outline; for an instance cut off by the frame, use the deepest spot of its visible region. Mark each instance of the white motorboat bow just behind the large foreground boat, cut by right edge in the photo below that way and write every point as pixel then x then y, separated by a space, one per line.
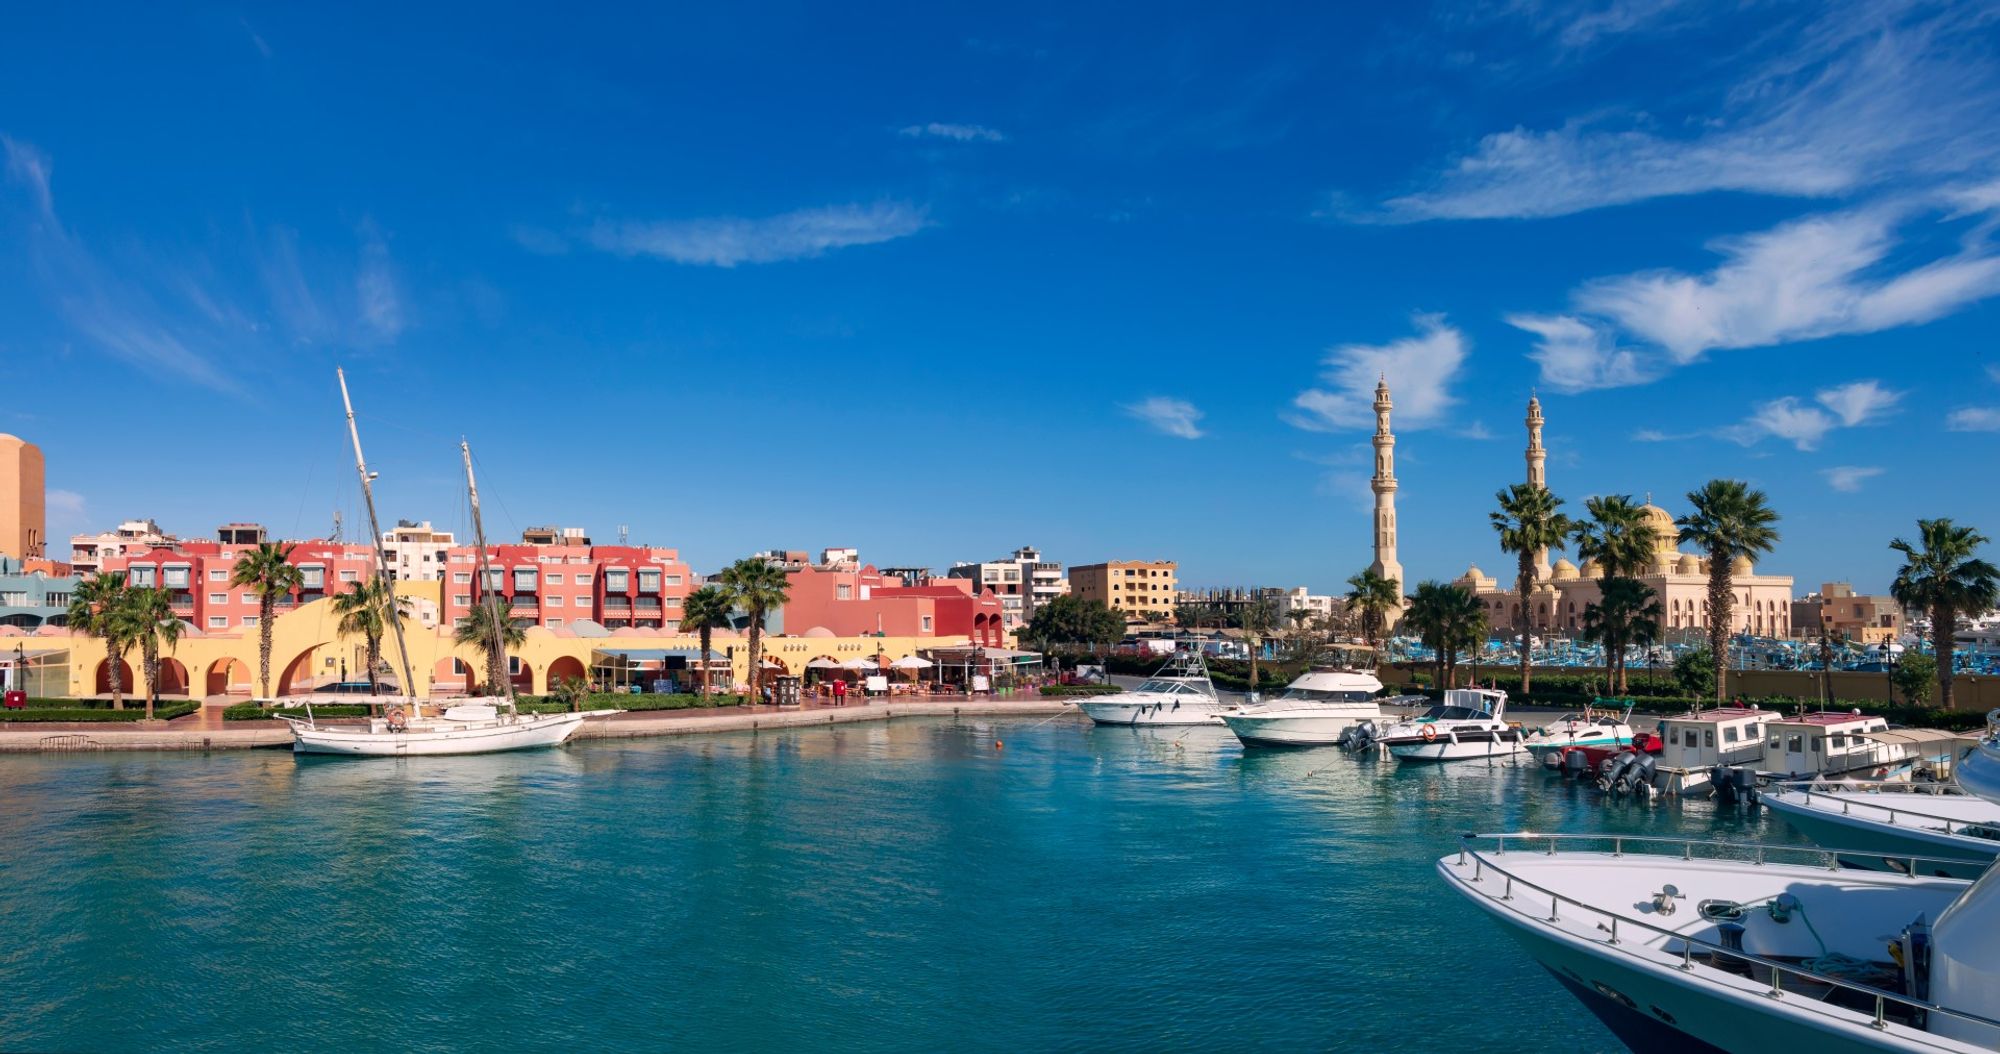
pixel 1893 821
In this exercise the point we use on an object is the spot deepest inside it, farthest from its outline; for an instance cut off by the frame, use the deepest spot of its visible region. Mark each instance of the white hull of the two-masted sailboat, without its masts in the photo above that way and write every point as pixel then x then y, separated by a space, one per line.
pixel 467 727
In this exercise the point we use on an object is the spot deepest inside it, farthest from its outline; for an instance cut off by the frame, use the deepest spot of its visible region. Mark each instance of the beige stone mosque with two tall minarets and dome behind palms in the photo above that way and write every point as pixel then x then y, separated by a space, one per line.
pixel 1563 589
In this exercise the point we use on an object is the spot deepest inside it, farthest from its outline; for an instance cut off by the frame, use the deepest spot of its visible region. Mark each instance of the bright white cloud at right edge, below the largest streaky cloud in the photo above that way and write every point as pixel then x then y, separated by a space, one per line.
pixel 1803 281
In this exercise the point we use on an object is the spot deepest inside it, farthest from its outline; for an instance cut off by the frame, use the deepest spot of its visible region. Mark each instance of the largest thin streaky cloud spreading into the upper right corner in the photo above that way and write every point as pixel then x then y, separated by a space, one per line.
pixel 1865 95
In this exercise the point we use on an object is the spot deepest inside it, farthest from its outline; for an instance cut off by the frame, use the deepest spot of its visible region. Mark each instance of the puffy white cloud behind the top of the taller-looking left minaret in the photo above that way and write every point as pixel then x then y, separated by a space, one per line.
pixel 1419 371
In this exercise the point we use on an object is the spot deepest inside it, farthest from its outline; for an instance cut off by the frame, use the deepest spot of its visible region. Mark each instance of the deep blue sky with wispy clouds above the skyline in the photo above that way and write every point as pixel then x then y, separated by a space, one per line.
pixel 1109 281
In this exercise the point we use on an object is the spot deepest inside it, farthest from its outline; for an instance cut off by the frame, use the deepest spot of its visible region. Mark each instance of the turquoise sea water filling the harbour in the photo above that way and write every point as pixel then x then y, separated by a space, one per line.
pixel 891 887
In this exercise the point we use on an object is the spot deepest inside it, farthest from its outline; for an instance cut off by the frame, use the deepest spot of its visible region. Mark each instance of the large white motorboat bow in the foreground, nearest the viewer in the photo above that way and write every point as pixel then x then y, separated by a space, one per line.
pixel 1693 945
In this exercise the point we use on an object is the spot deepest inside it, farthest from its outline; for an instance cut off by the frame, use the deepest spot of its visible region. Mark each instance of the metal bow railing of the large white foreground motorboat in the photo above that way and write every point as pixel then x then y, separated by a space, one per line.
pixel 1689 945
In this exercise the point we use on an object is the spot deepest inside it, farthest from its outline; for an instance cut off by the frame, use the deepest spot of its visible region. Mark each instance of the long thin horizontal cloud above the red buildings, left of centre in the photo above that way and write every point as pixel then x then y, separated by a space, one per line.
pixel 731 241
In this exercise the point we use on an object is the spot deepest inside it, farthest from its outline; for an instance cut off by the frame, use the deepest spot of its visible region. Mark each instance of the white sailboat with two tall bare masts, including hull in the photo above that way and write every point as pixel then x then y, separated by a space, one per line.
pixel 469 727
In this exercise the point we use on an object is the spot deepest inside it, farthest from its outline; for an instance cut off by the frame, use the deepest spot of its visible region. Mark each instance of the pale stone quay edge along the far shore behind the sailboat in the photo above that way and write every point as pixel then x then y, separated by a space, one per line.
pixel 207 731
